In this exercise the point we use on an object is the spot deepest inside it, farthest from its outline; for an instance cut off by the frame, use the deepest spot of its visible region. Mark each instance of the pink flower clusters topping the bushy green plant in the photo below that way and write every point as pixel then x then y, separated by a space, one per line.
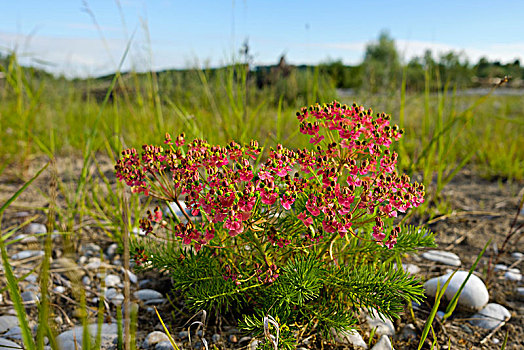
pixel 347 179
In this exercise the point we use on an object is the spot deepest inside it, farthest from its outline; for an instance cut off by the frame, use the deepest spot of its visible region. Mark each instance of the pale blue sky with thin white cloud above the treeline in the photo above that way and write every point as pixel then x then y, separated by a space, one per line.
pixel 62 35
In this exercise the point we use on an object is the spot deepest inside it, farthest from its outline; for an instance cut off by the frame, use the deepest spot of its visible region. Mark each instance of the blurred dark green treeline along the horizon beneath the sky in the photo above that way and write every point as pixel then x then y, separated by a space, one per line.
pixel 381 71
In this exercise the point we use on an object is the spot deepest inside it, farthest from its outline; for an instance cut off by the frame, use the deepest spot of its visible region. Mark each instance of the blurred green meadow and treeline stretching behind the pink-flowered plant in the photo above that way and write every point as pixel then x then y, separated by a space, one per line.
pixel 430 97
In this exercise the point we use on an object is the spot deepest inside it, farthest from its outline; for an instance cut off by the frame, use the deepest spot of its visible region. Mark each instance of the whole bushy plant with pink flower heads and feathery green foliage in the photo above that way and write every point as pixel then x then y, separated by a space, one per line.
pixel 306 237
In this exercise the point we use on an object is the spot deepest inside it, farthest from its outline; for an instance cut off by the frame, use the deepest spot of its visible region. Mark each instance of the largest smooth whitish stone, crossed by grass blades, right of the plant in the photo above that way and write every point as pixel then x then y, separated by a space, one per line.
pixel 473 297
